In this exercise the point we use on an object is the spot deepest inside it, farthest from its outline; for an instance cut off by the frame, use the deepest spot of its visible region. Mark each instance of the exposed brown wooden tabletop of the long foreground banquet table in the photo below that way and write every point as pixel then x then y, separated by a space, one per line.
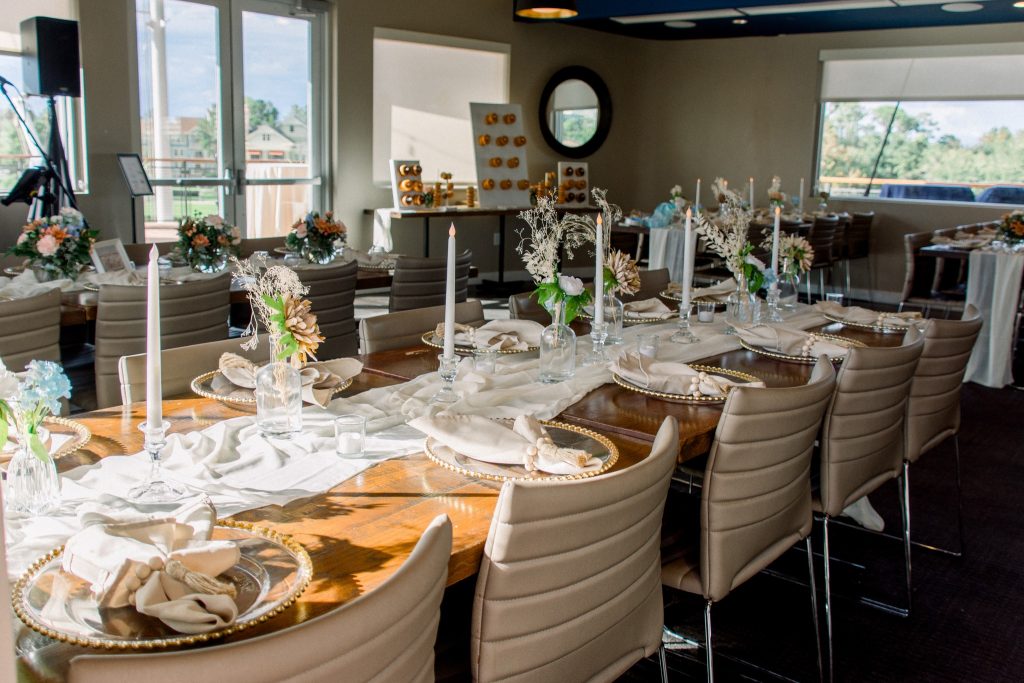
pixel 362 531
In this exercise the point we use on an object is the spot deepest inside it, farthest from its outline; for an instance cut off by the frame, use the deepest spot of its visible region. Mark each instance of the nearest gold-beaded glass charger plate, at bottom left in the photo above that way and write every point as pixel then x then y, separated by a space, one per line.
pixel 272 574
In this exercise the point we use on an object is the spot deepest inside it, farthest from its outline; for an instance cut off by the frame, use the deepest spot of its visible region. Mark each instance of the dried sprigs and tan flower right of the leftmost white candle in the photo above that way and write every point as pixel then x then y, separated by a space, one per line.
pixel 277 296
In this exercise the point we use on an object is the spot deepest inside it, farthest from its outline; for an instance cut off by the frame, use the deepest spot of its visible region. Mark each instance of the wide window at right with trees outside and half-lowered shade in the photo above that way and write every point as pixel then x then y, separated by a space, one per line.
pixel 934 123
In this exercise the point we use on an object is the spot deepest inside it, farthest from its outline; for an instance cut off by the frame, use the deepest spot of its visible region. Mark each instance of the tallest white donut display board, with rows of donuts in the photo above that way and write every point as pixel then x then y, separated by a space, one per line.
pixel 500 148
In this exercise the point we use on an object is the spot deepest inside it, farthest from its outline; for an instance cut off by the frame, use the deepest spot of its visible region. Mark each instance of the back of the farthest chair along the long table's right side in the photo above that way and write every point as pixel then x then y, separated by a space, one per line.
pixel 933 409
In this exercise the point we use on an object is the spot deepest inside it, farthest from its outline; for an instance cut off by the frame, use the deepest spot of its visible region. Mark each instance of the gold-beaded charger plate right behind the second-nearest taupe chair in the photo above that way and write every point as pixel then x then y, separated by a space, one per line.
pixel 564 435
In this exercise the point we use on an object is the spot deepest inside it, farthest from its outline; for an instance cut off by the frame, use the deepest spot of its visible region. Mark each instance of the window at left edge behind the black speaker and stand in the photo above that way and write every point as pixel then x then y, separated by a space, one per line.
pixel 17 150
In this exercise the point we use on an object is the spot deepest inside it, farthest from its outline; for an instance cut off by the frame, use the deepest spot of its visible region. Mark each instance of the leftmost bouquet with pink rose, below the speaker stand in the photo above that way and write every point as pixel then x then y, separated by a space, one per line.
pixel 58 246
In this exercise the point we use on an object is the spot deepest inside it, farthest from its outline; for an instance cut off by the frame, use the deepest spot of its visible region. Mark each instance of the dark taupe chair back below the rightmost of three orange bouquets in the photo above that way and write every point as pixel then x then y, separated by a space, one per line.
pixel 332 291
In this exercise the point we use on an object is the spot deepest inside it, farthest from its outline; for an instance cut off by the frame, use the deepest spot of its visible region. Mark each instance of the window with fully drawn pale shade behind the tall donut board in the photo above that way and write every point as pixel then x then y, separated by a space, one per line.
pixel 423 86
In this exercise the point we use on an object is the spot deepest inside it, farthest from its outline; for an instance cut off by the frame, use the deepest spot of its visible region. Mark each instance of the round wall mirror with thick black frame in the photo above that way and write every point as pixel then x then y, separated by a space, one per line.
pixel 576 112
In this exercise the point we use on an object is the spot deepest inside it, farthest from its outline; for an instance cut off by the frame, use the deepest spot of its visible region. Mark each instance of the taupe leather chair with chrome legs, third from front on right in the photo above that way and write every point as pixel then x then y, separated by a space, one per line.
pixel 756 500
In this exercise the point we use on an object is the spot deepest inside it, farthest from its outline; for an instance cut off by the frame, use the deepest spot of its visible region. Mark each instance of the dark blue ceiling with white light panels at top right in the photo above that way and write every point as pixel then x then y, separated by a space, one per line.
pixel 737 19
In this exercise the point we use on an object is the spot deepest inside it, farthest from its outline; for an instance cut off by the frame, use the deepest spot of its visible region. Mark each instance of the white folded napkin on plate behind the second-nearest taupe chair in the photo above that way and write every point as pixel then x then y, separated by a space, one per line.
pixel 527 444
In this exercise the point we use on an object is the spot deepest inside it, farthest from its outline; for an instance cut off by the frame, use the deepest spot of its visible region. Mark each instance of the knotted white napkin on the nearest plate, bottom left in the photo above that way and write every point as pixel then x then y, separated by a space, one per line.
pixel 166 567
